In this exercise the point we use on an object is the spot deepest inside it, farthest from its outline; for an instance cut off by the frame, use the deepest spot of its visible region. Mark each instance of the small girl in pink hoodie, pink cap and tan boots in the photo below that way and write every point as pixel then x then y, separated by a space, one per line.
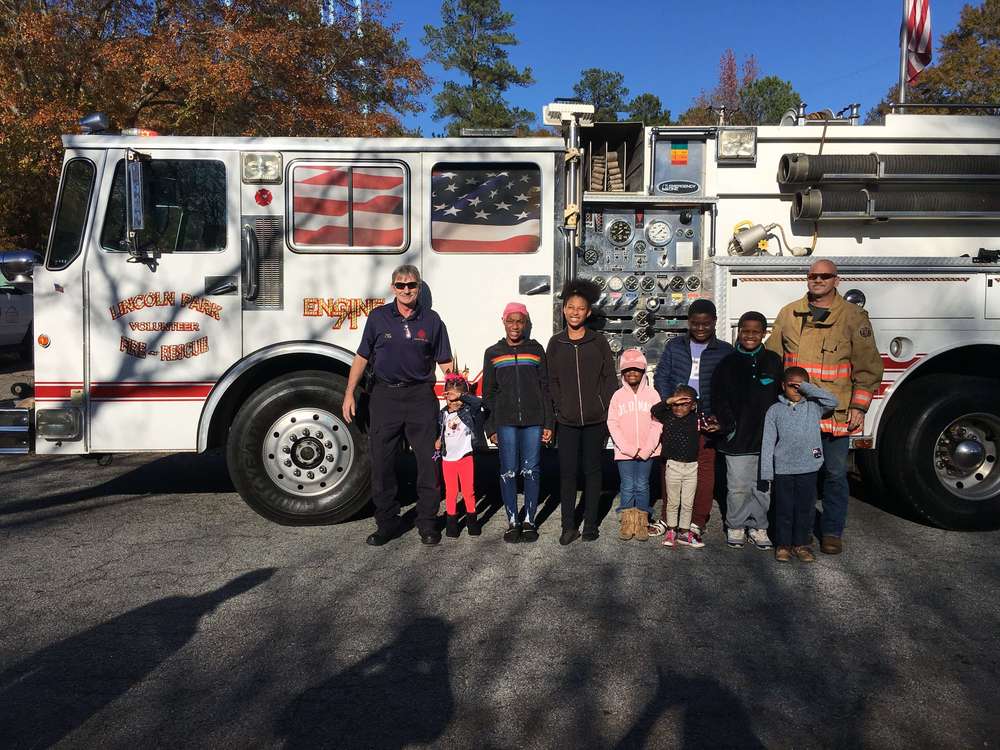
pixel 636 436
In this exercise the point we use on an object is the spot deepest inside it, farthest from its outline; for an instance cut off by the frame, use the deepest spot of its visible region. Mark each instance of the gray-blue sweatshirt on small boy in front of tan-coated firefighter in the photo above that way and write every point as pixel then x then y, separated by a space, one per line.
pixel 792 443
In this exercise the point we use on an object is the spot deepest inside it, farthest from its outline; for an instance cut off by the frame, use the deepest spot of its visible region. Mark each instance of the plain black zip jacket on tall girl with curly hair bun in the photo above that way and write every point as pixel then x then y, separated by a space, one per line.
pixel 582 378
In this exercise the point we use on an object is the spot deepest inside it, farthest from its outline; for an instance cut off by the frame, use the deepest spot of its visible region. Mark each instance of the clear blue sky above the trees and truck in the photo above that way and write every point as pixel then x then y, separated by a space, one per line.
pixel 833 52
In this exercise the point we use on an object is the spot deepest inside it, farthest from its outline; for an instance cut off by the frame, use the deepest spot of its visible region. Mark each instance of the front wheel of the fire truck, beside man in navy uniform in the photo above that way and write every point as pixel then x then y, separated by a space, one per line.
pixel 292 457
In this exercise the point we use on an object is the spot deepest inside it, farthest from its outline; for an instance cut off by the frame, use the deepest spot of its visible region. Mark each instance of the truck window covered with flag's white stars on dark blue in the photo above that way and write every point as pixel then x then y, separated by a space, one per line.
pixel 486 209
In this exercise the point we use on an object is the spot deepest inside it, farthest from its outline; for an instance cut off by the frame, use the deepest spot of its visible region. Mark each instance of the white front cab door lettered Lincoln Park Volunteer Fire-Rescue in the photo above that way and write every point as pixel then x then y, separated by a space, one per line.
pixel 163 325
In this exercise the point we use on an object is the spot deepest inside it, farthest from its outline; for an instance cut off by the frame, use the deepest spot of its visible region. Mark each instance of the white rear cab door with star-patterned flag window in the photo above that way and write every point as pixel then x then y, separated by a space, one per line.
pixel 490 241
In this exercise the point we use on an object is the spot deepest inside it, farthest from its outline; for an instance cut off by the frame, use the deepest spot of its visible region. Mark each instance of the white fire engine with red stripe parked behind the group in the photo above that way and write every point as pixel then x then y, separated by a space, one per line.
pixel 204 292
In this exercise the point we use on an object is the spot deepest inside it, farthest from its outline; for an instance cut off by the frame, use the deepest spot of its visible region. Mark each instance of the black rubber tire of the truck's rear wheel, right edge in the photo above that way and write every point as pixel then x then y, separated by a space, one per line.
pixel 906 452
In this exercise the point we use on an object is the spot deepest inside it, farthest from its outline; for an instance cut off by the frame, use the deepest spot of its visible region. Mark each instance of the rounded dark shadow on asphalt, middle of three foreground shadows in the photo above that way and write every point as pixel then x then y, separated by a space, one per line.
pixel 397 696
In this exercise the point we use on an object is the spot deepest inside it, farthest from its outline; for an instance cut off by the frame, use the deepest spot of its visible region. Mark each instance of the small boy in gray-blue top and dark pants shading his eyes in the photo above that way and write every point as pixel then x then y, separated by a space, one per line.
pixel 791 454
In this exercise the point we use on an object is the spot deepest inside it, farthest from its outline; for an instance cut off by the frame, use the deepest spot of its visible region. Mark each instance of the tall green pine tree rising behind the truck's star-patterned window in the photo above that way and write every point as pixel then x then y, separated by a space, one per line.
pixel 472 39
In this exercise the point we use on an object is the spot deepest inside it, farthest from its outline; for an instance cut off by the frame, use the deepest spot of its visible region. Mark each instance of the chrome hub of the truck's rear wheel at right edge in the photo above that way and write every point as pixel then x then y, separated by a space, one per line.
pixel 965 456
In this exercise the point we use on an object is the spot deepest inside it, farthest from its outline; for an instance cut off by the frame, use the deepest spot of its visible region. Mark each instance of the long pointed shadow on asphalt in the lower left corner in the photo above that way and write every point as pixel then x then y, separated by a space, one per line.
pixel 54 691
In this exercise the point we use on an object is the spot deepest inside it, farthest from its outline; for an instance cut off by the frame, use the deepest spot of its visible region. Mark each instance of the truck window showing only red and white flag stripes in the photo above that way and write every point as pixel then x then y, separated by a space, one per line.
pixel 352 206
